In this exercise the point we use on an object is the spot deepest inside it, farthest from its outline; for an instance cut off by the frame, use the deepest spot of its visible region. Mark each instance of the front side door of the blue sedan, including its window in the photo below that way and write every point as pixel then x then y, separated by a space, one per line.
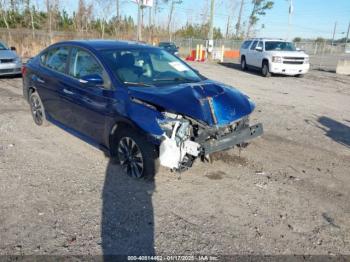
pixel 91 103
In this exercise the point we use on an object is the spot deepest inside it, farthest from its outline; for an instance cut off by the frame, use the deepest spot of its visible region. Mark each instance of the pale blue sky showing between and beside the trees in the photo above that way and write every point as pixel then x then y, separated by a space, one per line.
pixel 310 18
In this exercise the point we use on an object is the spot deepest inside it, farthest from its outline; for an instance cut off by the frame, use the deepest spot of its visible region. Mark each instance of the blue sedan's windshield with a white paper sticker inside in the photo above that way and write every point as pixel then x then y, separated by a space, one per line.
pixel 148 67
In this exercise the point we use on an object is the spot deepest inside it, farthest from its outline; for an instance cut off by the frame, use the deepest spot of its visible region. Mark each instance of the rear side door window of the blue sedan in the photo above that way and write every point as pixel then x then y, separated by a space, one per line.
pixel 56 59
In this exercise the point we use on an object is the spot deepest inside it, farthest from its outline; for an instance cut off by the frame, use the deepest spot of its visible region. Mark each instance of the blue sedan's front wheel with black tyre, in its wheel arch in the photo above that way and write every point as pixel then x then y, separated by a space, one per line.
pixel 137 157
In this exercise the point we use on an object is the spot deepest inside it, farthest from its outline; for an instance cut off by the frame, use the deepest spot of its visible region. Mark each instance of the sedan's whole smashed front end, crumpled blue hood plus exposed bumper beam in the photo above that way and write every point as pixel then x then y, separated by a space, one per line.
pixel 198 120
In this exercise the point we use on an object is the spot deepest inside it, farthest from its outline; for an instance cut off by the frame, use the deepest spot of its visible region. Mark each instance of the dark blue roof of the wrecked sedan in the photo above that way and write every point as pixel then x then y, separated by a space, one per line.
pixel 99 44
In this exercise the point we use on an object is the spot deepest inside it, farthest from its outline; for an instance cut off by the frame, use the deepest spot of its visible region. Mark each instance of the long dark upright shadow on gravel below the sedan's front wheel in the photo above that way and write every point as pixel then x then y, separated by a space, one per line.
pixel 127 215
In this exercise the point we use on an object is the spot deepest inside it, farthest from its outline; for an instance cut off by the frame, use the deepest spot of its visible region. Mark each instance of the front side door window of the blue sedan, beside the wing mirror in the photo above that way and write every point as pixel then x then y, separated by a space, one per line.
pixel 82 63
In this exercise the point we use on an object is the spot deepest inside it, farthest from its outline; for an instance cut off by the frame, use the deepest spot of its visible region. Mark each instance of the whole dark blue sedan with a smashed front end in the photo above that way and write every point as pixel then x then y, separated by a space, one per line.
pixel 140 104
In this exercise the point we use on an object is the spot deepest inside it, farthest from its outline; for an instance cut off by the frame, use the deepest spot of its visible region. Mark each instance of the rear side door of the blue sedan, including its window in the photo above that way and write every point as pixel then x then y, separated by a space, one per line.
pixel 49 82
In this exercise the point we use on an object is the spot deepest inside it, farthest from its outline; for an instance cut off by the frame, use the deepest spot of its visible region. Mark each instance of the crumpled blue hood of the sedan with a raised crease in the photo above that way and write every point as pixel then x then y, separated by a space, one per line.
pixel 208 101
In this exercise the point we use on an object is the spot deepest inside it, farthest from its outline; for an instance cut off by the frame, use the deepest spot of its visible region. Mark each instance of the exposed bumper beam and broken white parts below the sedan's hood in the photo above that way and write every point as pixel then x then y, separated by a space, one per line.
pixel 186 139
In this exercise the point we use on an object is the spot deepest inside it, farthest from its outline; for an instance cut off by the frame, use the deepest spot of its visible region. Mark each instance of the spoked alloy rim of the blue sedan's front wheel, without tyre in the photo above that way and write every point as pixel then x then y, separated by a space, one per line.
pixel 130 157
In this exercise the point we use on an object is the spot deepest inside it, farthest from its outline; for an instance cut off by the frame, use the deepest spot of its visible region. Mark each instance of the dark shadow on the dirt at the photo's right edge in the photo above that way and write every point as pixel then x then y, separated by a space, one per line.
pixel 335 130
